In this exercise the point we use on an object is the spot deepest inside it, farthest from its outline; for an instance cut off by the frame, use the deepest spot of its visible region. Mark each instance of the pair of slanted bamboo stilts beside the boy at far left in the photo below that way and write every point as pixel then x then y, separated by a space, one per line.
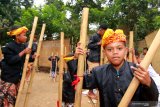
pixel 26 63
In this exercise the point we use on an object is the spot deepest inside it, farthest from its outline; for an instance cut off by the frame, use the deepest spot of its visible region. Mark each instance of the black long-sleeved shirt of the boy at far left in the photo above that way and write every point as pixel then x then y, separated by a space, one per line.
pixel 12 64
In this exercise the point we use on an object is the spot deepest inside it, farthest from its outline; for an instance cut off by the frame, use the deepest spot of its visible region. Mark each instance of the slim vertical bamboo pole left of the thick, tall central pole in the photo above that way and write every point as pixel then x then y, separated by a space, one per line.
pixel 61 71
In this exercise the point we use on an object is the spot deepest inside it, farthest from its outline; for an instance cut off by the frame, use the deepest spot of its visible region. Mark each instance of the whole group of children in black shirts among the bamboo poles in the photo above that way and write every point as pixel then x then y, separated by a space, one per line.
pixel 112 79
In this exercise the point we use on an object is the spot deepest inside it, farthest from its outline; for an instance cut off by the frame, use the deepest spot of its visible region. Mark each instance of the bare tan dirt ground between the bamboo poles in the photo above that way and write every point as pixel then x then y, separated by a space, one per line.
pixel 44 92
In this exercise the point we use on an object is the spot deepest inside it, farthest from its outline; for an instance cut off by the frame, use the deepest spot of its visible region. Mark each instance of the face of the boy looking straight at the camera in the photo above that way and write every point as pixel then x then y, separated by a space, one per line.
pixel 115 52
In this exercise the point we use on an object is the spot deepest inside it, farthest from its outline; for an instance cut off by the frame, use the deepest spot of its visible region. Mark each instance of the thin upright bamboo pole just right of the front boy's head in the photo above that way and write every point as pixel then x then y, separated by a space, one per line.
pixel 131 46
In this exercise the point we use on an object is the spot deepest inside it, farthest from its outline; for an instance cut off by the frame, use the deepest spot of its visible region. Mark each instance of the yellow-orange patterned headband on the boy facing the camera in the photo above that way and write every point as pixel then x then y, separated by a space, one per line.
pixel 111 36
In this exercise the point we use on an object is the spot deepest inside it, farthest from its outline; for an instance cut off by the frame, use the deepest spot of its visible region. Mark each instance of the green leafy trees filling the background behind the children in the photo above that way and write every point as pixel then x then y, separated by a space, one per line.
pixel 141 16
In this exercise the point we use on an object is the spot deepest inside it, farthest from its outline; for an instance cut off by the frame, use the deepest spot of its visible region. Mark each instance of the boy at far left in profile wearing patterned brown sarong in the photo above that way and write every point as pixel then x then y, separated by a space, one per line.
pixel 12 66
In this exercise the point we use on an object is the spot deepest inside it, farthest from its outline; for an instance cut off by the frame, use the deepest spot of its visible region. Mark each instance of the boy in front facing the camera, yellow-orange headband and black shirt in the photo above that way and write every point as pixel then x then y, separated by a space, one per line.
pixel 112 80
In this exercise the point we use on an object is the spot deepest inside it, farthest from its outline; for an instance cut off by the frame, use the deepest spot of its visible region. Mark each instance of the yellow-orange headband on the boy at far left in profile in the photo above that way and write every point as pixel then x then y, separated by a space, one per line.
pixel 17 31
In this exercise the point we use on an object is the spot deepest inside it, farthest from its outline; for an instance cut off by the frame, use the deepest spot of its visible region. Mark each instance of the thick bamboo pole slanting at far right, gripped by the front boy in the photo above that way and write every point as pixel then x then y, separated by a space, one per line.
pixel 145 63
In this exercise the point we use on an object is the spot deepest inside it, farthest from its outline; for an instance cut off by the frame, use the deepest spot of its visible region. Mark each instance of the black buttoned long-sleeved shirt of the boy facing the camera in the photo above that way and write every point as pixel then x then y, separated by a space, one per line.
pixel 112 84
